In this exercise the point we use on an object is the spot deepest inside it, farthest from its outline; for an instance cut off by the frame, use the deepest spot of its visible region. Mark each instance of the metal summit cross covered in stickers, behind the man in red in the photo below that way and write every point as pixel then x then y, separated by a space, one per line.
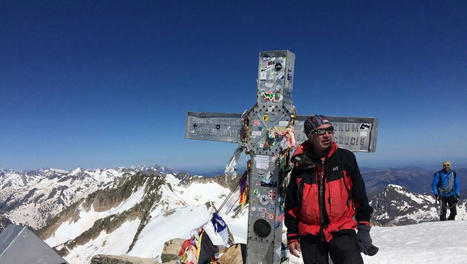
pixel 262 133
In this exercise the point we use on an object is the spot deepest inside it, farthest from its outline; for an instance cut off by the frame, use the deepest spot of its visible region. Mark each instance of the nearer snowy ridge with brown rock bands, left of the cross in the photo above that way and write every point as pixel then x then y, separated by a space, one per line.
pixel 136 215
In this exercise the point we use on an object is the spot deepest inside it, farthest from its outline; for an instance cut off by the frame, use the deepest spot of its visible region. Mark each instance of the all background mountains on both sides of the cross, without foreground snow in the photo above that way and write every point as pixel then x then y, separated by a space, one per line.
pixel 122 211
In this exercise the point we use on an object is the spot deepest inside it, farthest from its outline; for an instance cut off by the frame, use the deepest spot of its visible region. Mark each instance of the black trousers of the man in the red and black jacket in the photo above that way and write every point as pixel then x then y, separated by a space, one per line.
pixel 343 249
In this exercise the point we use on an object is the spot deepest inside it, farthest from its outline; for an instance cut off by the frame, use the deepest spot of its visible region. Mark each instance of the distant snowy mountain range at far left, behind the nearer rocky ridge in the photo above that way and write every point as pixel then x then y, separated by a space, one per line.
pixel 33 197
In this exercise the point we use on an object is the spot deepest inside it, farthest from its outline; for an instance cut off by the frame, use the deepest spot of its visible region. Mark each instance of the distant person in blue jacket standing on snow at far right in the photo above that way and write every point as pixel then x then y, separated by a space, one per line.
pixel 446 189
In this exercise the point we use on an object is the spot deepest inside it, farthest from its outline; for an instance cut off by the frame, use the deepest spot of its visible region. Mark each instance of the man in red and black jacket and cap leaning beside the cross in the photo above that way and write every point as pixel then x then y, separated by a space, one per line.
pixel 326 200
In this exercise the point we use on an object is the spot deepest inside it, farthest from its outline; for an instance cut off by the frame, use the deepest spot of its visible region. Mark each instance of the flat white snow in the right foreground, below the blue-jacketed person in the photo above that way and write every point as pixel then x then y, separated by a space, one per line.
pixel 425 243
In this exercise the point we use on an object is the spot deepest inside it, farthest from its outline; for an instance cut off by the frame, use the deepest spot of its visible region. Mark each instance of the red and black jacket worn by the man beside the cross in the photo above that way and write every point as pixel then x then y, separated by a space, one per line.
pixel 324 195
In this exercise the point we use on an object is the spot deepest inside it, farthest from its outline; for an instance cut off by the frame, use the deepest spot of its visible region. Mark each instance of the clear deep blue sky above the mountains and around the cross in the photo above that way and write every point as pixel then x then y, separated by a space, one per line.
pixel 108 83
